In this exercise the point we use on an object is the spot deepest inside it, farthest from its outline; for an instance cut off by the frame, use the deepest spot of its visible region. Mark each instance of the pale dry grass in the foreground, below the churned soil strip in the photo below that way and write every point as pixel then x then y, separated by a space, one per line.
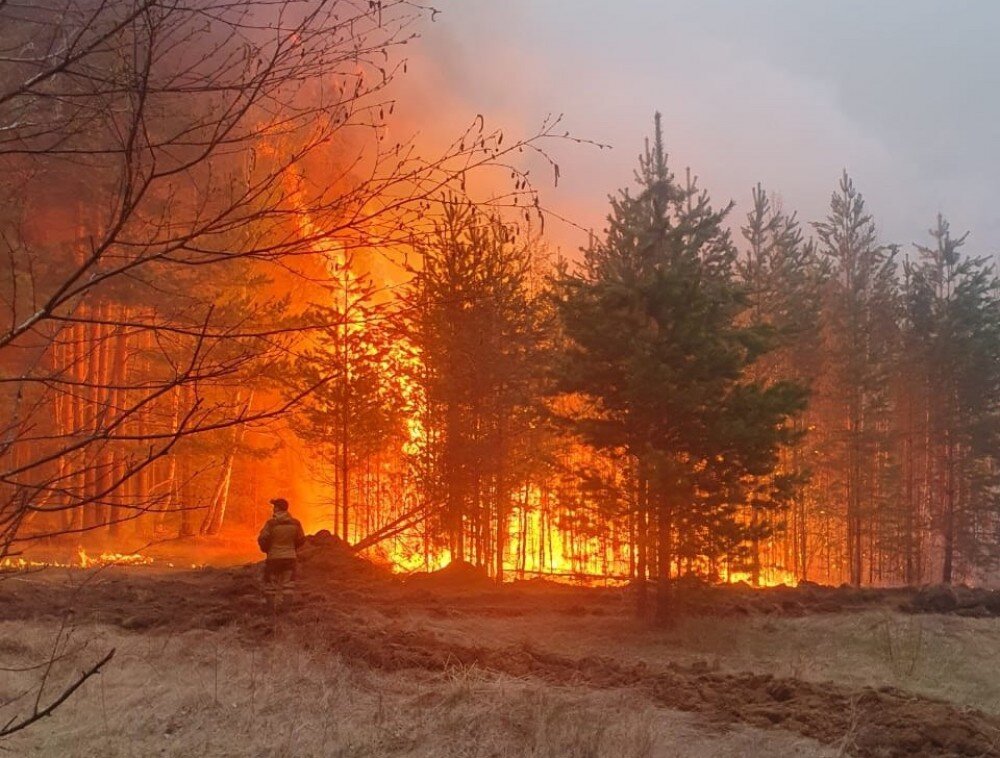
pixel 206 693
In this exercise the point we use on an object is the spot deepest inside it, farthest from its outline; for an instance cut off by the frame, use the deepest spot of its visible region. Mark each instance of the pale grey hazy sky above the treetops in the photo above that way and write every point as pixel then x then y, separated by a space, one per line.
pixel 904 94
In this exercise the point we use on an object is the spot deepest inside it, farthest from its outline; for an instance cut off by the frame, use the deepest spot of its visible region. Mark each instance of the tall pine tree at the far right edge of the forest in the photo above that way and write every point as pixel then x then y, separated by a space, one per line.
pixel 954 316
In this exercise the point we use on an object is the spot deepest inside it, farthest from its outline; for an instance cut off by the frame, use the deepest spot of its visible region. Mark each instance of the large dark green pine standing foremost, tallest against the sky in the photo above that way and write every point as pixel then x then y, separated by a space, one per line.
pixel 654 342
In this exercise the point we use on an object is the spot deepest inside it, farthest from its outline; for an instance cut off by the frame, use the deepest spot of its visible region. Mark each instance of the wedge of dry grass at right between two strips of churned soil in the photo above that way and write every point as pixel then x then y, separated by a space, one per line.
pixel 945 657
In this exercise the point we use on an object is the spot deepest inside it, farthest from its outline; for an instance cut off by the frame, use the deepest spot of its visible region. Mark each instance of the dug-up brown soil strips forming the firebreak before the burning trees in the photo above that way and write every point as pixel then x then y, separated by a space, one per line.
pixel 359 611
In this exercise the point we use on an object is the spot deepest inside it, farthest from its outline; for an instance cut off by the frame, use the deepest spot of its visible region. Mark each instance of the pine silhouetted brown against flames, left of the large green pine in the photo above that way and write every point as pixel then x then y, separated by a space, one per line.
pixel 472 318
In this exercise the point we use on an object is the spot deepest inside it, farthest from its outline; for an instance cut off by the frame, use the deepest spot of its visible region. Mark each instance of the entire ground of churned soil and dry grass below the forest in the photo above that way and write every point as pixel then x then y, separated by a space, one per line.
pixel 539 667
